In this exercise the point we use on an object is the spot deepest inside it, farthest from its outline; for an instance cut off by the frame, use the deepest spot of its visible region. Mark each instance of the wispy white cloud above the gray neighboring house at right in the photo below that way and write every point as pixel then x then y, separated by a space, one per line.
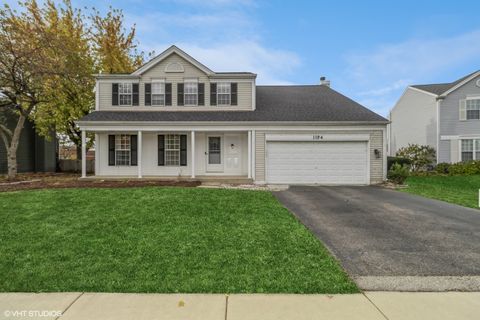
pixel 390 68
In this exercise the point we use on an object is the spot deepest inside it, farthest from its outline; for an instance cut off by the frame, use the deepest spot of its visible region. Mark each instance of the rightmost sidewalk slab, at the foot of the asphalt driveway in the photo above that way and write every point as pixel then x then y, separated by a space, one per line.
pixel 427 305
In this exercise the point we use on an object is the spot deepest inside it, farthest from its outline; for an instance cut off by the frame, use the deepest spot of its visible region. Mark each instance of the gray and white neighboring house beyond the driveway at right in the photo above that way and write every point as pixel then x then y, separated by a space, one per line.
pixel 445 116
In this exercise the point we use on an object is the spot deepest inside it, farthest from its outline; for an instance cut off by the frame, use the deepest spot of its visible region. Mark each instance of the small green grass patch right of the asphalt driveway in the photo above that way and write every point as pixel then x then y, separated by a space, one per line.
pixel 462 190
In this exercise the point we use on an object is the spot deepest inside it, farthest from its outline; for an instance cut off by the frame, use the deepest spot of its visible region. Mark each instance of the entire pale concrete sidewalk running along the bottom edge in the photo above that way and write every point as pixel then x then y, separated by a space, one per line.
pixel 119 306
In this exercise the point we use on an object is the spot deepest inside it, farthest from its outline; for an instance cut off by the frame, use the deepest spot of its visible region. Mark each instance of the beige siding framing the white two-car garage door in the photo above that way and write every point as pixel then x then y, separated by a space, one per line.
pixel 376 142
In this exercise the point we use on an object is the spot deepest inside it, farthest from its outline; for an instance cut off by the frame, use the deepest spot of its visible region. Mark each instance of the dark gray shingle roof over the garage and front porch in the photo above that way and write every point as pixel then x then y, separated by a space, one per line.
pixel 274 103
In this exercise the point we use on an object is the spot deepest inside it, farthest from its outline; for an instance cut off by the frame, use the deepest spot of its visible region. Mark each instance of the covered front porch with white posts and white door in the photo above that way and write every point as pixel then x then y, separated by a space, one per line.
pixel 224 156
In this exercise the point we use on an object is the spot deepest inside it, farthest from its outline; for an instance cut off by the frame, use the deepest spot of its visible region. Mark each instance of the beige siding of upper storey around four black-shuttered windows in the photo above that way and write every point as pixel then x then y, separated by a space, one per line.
pixel 244 88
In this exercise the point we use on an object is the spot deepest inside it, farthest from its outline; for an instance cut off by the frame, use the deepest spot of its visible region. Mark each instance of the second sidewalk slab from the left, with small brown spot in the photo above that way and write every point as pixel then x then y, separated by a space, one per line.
pixel 123 306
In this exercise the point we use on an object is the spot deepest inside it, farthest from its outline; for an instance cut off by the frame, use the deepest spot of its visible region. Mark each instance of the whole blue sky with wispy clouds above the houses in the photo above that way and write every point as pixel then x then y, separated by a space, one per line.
pixel 369 50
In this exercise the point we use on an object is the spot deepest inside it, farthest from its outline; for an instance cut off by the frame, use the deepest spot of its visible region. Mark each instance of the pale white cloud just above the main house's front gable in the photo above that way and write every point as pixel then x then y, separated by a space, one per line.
pixel 271 65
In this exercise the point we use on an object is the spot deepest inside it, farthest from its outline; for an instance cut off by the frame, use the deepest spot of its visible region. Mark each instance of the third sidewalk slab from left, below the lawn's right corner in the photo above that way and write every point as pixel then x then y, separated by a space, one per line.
pixel 301 307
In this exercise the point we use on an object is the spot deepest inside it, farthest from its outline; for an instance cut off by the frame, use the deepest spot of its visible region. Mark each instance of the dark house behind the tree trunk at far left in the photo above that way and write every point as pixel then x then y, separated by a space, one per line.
pixel 34 153
